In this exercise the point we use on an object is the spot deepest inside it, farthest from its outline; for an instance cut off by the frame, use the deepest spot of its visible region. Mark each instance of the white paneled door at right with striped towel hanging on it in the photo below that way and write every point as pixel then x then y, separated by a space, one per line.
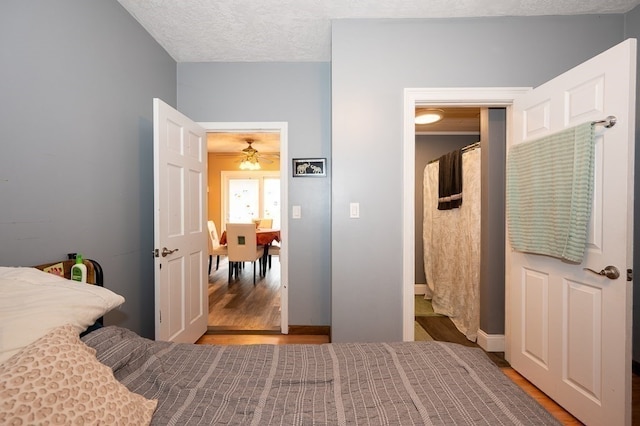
pixel 569 329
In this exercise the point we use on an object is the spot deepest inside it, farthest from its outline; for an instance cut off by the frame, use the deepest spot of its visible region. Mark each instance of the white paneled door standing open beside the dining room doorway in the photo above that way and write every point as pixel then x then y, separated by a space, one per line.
pixel 180 231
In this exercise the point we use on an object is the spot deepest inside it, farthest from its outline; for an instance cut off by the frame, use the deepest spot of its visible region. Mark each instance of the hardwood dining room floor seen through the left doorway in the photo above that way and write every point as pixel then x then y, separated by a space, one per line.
pixel 241 305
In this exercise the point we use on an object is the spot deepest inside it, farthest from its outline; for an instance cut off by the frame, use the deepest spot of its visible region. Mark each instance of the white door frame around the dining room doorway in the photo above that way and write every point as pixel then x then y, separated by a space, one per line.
pixel 285 172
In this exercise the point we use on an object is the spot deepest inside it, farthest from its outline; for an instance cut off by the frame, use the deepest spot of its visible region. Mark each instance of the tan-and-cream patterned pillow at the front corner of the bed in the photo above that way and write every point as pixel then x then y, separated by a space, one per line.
pixel 57 379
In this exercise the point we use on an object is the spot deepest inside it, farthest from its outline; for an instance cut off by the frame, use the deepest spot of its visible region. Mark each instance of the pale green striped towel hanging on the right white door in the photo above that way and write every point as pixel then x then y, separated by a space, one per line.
pixel 549 193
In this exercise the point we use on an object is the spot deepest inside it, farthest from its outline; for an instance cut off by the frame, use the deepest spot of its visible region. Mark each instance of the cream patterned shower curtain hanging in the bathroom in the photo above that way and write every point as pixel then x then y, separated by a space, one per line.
pixel 452 247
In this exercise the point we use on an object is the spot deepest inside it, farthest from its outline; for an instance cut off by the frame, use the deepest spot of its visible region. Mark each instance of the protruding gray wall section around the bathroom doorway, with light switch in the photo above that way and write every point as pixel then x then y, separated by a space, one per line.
pixel 372 62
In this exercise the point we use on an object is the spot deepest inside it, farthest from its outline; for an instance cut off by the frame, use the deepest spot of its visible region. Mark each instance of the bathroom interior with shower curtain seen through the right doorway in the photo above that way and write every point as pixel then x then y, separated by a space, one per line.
pixel 453 269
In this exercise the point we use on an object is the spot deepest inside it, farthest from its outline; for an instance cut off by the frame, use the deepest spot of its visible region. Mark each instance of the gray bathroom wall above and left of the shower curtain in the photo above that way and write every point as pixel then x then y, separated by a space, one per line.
pixel 430 147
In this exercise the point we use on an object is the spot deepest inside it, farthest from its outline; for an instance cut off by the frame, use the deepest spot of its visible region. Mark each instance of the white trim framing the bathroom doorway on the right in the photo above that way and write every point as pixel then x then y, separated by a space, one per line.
pixel 458 96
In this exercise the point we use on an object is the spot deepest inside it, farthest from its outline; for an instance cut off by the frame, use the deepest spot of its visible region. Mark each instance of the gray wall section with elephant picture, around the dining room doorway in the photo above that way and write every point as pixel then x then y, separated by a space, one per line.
pixel 298 93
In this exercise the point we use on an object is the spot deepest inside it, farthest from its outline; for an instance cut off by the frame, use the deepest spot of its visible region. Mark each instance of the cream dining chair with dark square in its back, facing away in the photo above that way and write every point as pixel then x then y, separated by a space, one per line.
pixel 242 247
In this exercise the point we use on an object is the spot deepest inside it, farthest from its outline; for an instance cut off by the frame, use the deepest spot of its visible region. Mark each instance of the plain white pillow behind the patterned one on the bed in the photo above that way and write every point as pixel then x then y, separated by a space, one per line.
pixel 33 302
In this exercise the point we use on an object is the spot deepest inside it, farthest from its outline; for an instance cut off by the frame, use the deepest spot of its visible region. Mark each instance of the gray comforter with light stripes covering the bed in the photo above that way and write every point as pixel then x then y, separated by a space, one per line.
pixel 417 383
